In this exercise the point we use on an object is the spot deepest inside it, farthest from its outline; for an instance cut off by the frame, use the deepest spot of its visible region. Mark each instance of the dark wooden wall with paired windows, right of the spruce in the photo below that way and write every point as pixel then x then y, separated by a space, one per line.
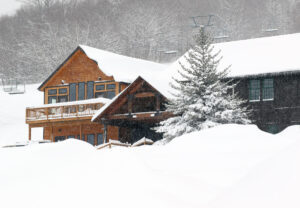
pixel 284 110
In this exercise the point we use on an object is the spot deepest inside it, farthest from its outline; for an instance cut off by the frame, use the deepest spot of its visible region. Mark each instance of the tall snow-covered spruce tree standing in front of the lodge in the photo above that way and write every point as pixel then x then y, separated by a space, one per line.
pixel 201 93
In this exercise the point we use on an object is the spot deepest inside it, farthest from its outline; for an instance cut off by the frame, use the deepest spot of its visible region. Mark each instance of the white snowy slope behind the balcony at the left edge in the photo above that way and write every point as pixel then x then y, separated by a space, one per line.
pixel 12 115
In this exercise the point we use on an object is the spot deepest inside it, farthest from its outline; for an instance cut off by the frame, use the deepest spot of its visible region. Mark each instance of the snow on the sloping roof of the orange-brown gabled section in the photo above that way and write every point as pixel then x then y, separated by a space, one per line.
pixel 127 69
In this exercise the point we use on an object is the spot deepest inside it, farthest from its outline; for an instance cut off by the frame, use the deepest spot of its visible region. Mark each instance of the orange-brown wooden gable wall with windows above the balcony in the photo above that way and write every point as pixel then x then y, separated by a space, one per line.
pixel 80 69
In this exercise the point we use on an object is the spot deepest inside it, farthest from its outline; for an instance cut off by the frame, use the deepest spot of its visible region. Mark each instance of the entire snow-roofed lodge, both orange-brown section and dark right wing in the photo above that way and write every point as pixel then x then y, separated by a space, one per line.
pixel 96 95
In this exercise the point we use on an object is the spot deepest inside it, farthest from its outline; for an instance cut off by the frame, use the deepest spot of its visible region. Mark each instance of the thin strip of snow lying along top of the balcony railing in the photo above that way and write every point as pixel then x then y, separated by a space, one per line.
pixel 80 102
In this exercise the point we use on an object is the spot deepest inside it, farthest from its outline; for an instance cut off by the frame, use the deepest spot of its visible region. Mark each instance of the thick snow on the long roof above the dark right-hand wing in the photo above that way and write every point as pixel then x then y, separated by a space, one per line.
pixel 259 56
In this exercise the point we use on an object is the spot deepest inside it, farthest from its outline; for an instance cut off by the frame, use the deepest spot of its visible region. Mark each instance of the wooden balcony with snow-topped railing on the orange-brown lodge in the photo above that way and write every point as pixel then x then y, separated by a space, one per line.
pixel 77 110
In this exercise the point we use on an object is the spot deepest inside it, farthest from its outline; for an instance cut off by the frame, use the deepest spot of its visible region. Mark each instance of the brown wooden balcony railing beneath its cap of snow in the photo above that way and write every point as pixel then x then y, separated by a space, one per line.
pixel 60 112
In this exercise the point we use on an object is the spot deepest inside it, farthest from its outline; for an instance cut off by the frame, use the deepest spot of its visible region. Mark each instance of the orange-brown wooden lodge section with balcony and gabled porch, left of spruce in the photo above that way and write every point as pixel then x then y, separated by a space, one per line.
pixel 85 98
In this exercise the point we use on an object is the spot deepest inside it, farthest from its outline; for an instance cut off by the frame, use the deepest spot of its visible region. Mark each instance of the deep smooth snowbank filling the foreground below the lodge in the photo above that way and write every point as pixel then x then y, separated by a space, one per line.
pixel 227 166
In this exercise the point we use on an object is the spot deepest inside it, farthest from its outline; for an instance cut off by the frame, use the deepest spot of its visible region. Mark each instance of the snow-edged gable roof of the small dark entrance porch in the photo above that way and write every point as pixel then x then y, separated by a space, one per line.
pixel 133 87
